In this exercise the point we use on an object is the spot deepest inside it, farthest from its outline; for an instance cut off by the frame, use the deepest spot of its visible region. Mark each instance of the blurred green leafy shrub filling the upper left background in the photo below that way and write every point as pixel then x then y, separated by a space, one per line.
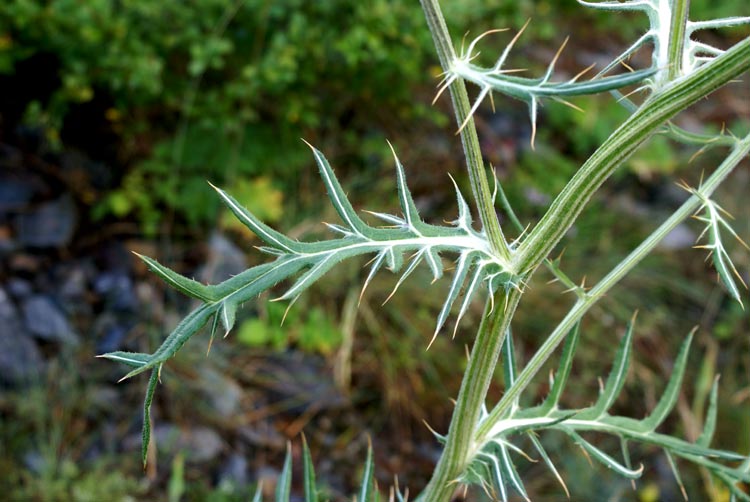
pixel 190 88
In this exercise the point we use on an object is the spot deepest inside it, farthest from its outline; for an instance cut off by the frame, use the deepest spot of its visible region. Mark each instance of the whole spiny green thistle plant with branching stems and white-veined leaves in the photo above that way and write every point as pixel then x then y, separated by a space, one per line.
pixel 484 443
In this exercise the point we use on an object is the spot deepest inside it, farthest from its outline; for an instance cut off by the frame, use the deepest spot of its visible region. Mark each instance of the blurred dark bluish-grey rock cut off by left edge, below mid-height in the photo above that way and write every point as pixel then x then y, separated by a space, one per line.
pixel 20 360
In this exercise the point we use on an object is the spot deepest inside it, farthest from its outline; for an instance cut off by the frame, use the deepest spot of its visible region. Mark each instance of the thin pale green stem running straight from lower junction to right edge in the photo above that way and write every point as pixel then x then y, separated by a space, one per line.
pixel 688 208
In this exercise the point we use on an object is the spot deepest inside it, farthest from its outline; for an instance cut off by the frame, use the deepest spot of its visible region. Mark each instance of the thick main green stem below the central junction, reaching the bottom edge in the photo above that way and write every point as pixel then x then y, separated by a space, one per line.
pixel 471 397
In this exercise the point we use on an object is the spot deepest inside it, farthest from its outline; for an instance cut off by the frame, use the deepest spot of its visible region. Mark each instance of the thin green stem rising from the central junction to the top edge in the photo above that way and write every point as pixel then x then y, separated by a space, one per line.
pixel 480 186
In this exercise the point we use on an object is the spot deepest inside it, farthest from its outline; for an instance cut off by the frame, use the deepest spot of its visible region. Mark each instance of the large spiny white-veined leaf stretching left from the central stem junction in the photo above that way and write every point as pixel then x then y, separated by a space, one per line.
pixel 313 259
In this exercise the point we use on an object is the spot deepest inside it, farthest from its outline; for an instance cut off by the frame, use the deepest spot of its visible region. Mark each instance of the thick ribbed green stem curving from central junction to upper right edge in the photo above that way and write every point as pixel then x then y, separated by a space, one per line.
pixel 647 120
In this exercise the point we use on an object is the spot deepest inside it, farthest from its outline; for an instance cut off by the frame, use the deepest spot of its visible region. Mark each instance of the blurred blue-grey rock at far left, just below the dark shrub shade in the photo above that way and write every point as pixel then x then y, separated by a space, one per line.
pixel 50 225
